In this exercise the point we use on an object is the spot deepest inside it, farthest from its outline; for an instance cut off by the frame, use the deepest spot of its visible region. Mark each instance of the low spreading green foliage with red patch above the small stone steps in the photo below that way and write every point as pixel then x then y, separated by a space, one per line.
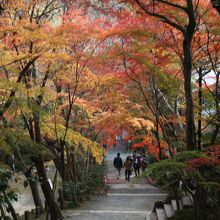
pixel 195 168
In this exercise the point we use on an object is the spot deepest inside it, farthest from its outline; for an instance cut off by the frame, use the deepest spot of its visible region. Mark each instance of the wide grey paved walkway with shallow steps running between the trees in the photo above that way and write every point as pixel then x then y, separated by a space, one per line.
pixel 123 201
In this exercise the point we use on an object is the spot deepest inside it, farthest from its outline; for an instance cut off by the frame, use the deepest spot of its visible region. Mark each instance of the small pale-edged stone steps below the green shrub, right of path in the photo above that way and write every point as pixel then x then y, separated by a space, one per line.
pixel 163 210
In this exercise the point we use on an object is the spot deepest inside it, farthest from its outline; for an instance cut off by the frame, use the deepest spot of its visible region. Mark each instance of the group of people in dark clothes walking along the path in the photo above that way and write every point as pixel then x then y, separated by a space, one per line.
pixel 133 162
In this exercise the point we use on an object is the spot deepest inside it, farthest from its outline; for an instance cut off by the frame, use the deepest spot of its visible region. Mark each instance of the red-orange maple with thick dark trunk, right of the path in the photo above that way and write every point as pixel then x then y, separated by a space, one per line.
pixel 181 40
